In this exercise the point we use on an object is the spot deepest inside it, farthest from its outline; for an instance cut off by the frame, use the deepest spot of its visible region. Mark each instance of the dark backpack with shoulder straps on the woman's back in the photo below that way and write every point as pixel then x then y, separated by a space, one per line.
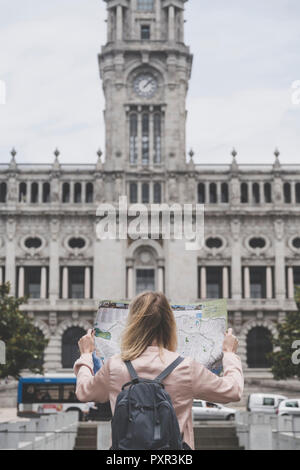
pixel 144 417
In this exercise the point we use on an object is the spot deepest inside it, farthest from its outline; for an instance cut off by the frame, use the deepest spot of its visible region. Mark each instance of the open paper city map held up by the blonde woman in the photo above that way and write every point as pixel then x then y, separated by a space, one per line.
pixel 200 329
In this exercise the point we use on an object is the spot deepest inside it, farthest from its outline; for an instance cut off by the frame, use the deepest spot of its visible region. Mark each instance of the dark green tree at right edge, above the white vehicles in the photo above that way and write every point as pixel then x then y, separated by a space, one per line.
pixel 288 332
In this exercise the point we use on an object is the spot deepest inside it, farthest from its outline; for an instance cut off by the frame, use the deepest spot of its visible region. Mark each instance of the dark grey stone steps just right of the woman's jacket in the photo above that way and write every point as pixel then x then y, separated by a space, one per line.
pixel 216 436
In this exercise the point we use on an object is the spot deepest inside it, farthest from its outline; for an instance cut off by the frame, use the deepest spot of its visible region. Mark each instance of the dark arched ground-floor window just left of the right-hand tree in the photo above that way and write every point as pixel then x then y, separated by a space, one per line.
pixel 259 344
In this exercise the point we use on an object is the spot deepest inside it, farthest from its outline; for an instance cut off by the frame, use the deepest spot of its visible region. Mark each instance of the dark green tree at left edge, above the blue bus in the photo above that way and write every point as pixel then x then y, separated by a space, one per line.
pixel 24 343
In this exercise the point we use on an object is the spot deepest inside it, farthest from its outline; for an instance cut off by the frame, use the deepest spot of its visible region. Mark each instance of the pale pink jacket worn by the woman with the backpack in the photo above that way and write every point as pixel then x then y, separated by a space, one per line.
pixel 190 380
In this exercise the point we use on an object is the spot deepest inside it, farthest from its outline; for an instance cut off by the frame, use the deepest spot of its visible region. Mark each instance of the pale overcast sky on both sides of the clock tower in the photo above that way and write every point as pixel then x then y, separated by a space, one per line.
pixel 246 58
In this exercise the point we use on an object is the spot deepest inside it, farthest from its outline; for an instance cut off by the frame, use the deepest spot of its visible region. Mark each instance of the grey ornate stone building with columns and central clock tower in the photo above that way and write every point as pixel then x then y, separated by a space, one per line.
pixel 48 244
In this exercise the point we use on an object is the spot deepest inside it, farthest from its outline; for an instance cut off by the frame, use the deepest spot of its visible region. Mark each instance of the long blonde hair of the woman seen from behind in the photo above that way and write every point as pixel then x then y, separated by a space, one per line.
pixel 150 320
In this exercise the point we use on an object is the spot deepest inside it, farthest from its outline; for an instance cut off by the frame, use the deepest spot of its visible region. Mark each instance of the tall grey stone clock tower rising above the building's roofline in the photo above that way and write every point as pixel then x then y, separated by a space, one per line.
pixel 145 67
